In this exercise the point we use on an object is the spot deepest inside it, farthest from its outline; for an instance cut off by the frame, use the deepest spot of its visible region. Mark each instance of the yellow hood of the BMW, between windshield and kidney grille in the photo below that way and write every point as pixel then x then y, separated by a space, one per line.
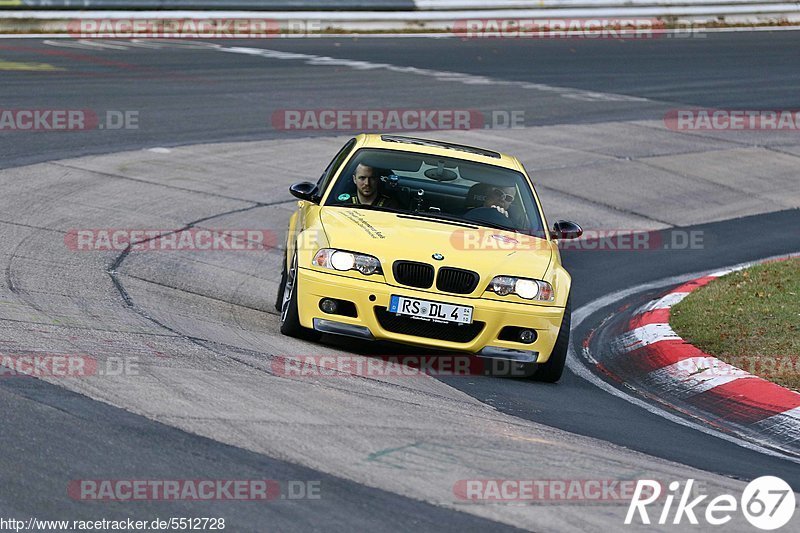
pixel 390 236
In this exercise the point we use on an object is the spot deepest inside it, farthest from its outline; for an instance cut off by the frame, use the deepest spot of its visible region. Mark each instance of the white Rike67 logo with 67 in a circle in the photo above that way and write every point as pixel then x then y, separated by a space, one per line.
pixel 767 503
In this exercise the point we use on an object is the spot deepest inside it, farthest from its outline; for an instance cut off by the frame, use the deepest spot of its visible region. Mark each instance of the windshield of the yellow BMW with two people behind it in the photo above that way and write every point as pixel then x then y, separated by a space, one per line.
pixel 439 187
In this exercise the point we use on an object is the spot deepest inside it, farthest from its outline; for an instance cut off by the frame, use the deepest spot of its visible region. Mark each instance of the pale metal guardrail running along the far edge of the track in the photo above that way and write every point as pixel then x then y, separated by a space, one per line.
pixel 54 17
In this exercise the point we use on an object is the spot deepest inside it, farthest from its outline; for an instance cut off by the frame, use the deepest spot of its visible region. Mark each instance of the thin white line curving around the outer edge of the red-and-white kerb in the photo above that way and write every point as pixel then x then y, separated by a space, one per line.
pixel 578 368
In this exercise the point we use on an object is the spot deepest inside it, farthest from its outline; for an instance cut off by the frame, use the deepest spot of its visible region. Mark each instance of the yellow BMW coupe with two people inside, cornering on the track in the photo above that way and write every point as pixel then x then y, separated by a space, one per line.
pixel 431 244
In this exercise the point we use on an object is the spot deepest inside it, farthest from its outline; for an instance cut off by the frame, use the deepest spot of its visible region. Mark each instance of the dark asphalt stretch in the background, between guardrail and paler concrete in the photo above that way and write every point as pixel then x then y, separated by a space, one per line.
pixel 185 94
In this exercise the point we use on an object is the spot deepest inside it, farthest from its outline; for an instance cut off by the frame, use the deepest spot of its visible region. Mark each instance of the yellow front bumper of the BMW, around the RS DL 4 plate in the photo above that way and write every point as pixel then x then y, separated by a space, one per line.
pixel 371 299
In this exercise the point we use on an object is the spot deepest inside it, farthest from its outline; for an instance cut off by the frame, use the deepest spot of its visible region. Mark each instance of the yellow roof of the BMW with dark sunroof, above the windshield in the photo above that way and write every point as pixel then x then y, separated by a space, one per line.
pixel 437 147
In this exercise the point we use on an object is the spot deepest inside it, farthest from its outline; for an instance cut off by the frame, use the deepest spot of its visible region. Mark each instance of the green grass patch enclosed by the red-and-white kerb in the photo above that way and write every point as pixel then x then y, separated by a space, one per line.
pixel 750 319
